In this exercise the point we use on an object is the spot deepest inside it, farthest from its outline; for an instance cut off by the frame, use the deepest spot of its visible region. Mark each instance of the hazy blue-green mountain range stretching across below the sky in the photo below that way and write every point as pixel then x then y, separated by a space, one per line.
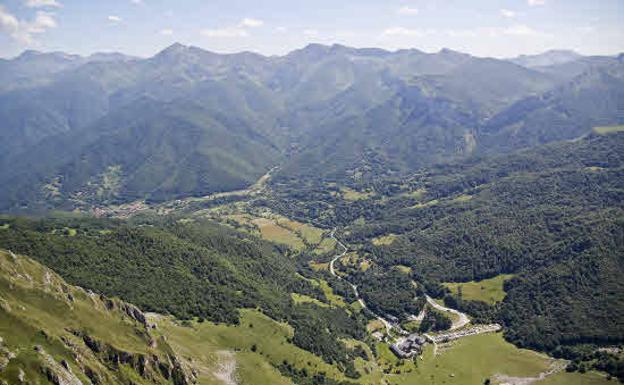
pixel 110 128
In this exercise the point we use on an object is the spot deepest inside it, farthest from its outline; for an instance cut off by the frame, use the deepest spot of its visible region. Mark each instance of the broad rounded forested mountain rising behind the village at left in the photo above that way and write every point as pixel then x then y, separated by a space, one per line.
pixel 157 150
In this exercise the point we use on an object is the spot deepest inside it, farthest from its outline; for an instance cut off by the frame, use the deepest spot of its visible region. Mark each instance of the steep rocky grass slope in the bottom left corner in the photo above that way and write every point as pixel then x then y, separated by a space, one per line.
pixel 37 308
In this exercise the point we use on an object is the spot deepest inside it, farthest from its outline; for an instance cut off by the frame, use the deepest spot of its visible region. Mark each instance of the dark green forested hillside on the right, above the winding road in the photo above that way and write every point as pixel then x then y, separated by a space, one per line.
pixel 550 215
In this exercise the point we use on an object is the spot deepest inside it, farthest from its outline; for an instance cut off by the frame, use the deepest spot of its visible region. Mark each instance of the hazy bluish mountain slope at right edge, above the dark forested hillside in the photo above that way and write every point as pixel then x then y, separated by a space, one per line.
pixel 594 98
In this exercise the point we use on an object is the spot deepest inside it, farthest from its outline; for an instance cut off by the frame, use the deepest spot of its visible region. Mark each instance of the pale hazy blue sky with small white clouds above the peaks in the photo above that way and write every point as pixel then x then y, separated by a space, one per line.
pixel 482 27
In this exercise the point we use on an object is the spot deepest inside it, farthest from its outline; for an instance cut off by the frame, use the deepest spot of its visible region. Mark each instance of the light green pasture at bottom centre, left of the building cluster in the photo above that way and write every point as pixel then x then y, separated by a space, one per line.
pixel 208 343
